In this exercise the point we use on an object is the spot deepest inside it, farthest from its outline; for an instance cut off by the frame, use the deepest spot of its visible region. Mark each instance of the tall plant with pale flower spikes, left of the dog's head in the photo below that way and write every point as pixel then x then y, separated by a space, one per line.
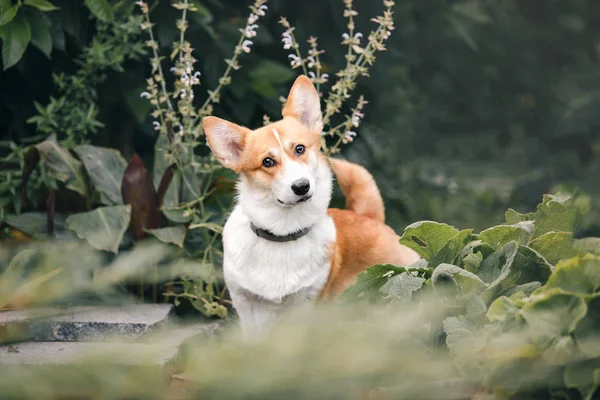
pixel 190 179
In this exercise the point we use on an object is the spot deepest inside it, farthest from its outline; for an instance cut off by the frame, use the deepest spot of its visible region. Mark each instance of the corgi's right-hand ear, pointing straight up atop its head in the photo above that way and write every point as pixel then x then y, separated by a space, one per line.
pixel 304 104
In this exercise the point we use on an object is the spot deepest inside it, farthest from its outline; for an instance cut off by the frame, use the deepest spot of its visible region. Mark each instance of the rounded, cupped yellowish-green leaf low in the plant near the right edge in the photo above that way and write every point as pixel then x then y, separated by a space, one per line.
pixel 553 314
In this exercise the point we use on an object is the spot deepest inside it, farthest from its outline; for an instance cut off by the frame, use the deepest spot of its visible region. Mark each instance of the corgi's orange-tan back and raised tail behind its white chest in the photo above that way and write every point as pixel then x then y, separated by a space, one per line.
pixel 362 239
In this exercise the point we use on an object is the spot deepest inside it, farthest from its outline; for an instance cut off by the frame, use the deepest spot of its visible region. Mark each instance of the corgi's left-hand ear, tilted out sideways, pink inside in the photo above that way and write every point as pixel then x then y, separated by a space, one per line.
pixel 226 140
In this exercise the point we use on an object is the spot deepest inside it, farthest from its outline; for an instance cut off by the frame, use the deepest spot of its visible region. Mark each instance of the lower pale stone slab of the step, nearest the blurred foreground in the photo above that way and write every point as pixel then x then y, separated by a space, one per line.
pixel 157 350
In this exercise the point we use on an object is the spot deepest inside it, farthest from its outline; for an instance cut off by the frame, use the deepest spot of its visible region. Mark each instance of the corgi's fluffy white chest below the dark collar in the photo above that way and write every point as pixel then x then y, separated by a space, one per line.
pixel 277 271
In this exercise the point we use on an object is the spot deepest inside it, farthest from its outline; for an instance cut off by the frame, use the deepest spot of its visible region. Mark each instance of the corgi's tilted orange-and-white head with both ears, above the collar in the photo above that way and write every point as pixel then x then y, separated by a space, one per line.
pixel 280 164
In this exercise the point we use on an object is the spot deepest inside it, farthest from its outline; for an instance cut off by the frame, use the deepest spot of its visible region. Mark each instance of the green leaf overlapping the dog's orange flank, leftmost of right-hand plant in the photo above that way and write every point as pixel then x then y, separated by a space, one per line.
pixel 369 282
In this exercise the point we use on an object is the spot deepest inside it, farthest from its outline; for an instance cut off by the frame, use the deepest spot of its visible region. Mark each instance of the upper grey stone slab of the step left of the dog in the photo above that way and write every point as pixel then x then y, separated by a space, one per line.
pixel 88 323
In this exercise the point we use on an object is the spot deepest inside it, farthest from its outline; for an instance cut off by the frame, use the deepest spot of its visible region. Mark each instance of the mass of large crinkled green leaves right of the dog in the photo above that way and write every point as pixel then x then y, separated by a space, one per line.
pixel 528 277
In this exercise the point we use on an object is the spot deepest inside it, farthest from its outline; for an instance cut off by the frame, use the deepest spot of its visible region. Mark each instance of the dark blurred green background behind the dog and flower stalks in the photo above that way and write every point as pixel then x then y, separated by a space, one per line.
pixel 476 106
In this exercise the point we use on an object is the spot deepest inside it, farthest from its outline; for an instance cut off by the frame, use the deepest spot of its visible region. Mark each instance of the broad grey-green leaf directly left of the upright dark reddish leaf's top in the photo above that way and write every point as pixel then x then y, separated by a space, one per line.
pixel 105 167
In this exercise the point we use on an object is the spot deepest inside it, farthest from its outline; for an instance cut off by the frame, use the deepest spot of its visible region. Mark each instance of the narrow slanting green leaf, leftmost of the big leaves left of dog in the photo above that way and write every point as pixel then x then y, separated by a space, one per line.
pixel 63 166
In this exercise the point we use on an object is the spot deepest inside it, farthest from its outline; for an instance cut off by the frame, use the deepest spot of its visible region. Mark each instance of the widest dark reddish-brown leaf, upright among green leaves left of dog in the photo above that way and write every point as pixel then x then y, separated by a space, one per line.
pixel 138 190
